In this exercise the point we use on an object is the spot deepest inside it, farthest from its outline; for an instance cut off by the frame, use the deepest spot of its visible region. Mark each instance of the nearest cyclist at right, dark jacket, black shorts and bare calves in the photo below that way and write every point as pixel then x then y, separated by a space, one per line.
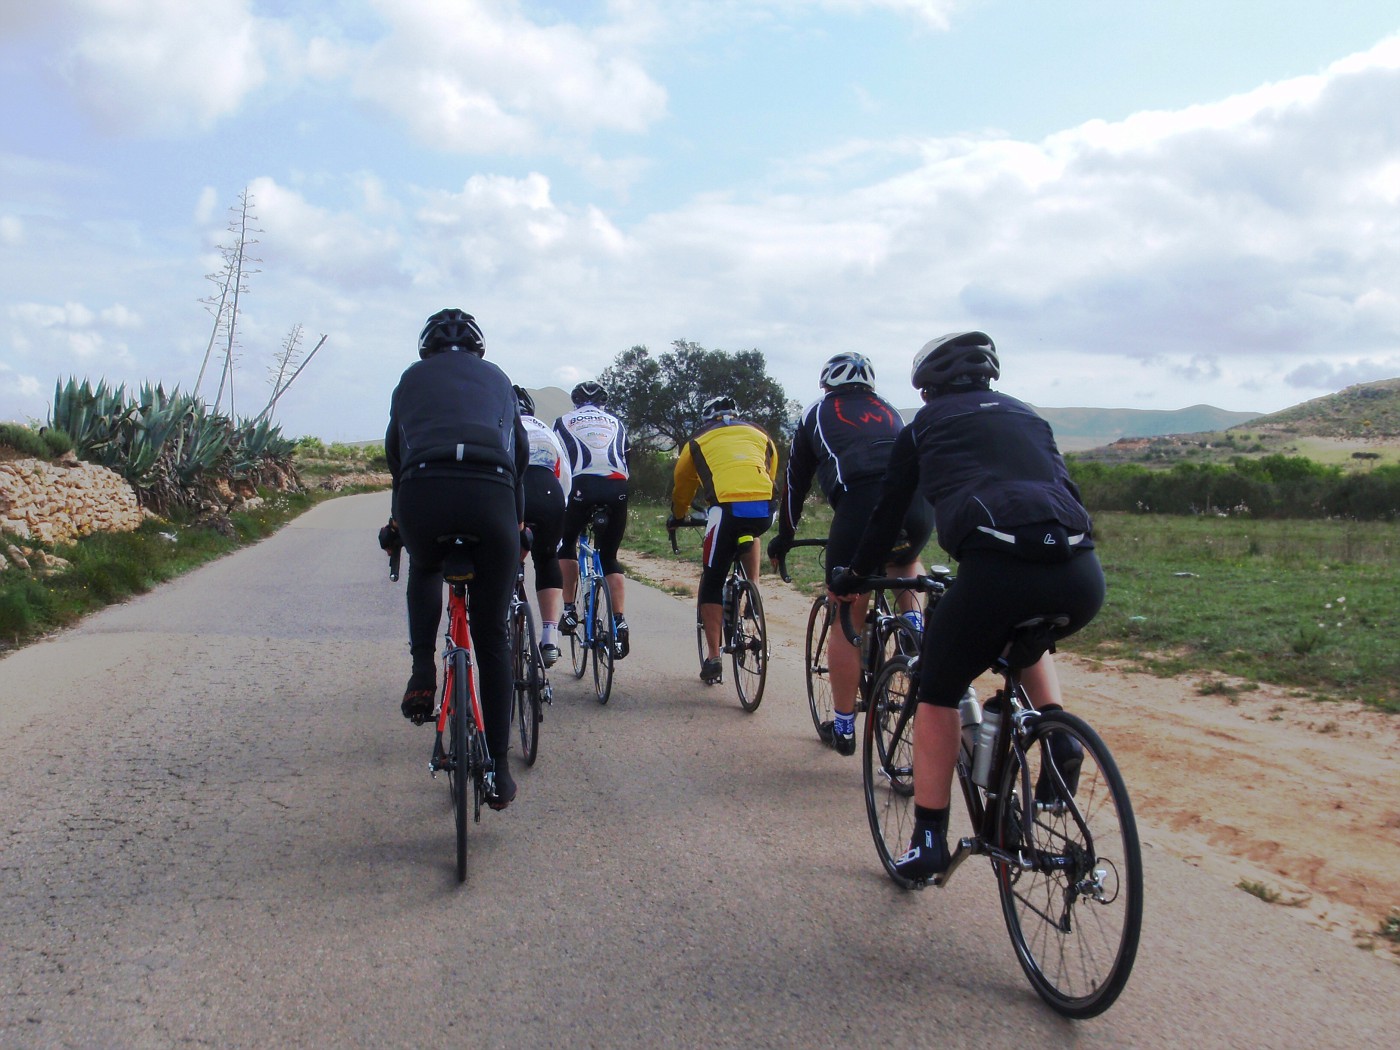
pixel 1007 510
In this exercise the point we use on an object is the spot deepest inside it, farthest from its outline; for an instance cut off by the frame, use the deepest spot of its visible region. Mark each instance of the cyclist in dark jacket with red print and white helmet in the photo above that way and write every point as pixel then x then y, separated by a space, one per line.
pixel 843 440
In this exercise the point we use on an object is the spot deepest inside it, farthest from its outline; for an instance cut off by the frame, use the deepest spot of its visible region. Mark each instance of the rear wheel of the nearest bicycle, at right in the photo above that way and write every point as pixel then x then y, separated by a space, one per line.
pixel 1074 909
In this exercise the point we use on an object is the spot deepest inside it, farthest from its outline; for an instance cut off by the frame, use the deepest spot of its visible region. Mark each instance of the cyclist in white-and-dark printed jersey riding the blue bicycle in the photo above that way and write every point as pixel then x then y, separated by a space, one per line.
pixel 596 443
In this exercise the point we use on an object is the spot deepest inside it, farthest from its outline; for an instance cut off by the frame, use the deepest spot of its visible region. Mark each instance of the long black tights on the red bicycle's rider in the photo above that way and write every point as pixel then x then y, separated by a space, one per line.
pixel 432 507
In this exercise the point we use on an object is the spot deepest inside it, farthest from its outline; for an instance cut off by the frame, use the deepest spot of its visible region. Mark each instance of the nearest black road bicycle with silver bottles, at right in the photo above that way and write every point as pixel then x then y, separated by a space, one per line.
pixel 1048 807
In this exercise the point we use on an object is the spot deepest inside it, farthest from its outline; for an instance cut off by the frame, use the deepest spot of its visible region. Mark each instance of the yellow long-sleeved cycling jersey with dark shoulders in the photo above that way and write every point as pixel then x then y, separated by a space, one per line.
pixel 730 461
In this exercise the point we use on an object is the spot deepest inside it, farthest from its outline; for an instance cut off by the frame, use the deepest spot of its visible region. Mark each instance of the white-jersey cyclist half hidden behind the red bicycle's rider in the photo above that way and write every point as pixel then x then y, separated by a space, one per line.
pixel 548 481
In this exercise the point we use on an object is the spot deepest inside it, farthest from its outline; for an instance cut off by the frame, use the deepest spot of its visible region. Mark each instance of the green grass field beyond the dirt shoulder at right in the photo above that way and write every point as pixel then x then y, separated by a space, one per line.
pixel 1303 604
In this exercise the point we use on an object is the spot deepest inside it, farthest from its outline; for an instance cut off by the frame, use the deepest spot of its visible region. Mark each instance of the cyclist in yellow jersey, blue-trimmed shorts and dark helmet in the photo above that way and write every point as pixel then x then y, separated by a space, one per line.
pixel 734 464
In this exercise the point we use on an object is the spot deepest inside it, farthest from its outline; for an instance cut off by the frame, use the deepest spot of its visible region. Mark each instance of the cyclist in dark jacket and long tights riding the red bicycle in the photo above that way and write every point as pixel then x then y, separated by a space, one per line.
pixel 457 454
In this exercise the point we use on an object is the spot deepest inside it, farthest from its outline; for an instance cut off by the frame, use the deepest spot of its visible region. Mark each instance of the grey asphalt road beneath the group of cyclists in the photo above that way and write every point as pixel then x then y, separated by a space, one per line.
pixel 218 829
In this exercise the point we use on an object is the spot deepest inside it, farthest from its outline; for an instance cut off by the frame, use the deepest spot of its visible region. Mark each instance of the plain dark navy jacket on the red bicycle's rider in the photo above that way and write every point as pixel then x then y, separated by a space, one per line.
pixel 456 415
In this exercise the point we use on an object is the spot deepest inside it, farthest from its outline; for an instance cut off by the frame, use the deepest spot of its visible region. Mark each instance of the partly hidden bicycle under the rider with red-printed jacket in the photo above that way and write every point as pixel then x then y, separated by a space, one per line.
pixel 885 633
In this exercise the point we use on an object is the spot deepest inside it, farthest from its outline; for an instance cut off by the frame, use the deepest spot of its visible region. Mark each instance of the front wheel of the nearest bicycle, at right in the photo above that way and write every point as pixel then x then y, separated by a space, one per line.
pixel 888 772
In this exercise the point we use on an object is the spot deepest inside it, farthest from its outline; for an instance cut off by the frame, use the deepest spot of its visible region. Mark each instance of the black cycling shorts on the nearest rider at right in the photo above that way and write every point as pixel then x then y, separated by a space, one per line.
pixel 993 593
